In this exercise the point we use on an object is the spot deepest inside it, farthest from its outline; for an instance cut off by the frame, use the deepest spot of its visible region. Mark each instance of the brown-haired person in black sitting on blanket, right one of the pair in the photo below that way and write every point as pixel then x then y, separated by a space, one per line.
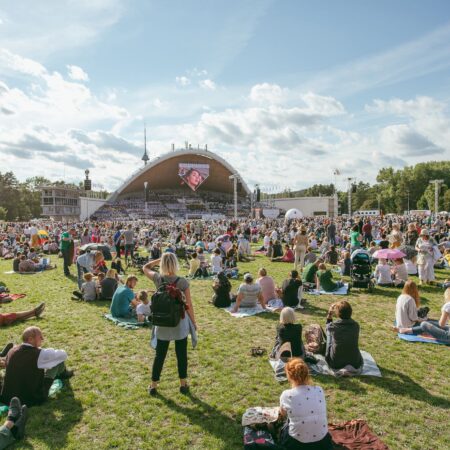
pixel 342 346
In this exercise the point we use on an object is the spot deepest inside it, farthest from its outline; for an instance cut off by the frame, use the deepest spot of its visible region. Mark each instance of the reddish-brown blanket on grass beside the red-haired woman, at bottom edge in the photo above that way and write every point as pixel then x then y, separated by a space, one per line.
pixel 355 435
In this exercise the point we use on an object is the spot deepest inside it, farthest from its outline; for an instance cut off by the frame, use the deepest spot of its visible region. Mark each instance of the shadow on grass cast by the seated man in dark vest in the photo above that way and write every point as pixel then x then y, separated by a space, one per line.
pixel 51 422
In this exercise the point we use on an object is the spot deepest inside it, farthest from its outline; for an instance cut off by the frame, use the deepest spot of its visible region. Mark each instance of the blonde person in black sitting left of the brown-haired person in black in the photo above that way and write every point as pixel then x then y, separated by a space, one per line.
pixel 288 331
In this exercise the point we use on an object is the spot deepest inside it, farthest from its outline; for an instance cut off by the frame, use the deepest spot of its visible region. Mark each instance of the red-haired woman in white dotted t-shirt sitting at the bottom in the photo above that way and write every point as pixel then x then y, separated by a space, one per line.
pixel 305 408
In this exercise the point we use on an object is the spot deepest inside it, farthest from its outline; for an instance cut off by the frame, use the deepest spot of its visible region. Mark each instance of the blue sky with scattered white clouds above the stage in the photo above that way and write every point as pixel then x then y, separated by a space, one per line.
pixel 287 91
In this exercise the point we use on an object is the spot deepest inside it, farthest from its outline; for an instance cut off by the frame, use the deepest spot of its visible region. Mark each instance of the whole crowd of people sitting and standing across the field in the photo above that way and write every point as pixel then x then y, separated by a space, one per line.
pixel 315 251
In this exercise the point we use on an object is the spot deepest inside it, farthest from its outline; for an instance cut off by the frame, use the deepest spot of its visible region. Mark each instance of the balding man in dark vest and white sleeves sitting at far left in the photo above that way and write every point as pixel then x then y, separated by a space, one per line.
pixel 31 370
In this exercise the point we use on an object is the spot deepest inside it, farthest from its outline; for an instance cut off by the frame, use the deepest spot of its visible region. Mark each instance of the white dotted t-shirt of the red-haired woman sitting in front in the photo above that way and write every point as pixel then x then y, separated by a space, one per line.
pixel 307 412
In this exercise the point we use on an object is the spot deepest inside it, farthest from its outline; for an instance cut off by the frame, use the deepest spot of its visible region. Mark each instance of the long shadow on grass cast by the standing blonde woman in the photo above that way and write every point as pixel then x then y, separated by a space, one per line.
pixel 209 418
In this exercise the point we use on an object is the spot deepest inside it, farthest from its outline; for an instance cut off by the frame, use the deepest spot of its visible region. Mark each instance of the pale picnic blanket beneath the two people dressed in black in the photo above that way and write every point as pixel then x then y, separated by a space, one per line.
pixel 369 368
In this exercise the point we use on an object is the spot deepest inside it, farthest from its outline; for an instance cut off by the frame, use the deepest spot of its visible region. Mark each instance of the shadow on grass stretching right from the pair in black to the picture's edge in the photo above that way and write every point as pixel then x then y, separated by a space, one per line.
pixel 400 384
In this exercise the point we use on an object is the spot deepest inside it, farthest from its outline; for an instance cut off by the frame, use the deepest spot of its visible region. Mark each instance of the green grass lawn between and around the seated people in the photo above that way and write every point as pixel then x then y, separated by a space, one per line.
pixel 106 404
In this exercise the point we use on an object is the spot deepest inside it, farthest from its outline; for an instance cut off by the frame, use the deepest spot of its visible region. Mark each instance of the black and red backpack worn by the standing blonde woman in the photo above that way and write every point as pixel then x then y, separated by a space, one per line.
pixel 168 305
